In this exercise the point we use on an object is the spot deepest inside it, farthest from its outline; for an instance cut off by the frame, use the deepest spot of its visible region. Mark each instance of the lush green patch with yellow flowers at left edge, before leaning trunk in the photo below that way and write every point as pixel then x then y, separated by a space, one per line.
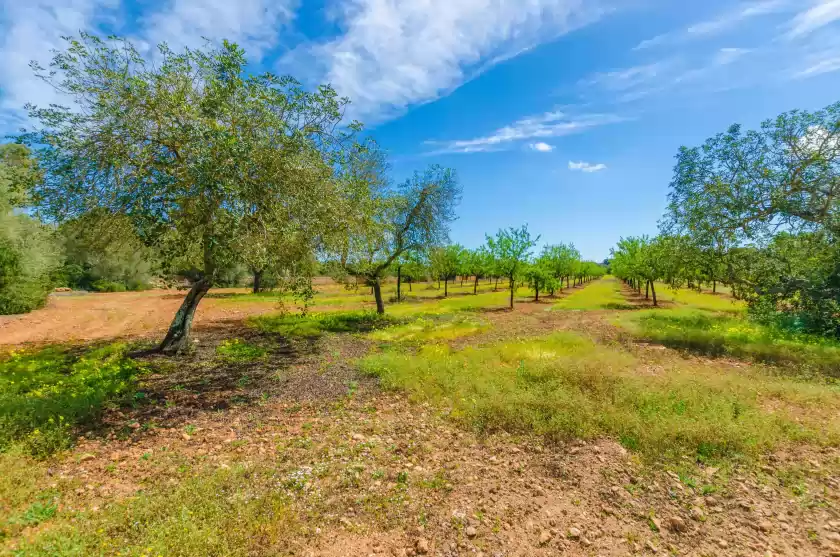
pixel 46 394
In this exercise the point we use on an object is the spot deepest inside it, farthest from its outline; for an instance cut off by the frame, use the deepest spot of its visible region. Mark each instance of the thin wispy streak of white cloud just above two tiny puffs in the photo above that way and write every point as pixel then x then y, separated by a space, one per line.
pixel 549 124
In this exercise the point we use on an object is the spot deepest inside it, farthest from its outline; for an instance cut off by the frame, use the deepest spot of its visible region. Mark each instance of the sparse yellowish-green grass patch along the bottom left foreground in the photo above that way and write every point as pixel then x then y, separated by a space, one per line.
pixel 237 512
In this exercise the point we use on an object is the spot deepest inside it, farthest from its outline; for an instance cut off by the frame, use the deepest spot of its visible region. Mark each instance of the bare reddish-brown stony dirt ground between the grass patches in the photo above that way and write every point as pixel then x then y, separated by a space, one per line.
pixel 397 478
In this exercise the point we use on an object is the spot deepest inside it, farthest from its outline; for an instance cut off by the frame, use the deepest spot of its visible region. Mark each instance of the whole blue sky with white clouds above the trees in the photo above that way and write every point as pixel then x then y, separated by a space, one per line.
pixel 563 114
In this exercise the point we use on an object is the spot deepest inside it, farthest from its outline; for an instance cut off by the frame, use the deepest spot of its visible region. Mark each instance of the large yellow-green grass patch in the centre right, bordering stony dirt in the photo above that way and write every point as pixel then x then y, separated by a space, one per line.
pixel 564 386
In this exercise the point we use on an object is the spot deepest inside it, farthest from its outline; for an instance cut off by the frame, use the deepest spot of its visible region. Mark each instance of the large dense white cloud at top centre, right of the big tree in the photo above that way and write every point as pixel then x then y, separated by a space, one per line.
pixel 396 53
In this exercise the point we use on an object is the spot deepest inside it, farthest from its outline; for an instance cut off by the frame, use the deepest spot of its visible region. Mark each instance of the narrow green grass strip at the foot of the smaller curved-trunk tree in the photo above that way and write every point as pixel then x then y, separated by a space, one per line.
pixel 316 324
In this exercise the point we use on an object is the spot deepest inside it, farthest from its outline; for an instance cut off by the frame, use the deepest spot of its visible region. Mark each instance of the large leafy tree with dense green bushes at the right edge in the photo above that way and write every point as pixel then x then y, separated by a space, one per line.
pixel 760 211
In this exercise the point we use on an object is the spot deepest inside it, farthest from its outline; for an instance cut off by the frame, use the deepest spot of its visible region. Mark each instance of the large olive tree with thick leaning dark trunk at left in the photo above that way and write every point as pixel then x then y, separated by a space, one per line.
pixel 195 150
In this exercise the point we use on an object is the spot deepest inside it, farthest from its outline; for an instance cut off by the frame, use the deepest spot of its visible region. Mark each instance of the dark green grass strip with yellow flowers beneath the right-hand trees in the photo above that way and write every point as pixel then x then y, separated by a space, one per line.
pixel 724 335
